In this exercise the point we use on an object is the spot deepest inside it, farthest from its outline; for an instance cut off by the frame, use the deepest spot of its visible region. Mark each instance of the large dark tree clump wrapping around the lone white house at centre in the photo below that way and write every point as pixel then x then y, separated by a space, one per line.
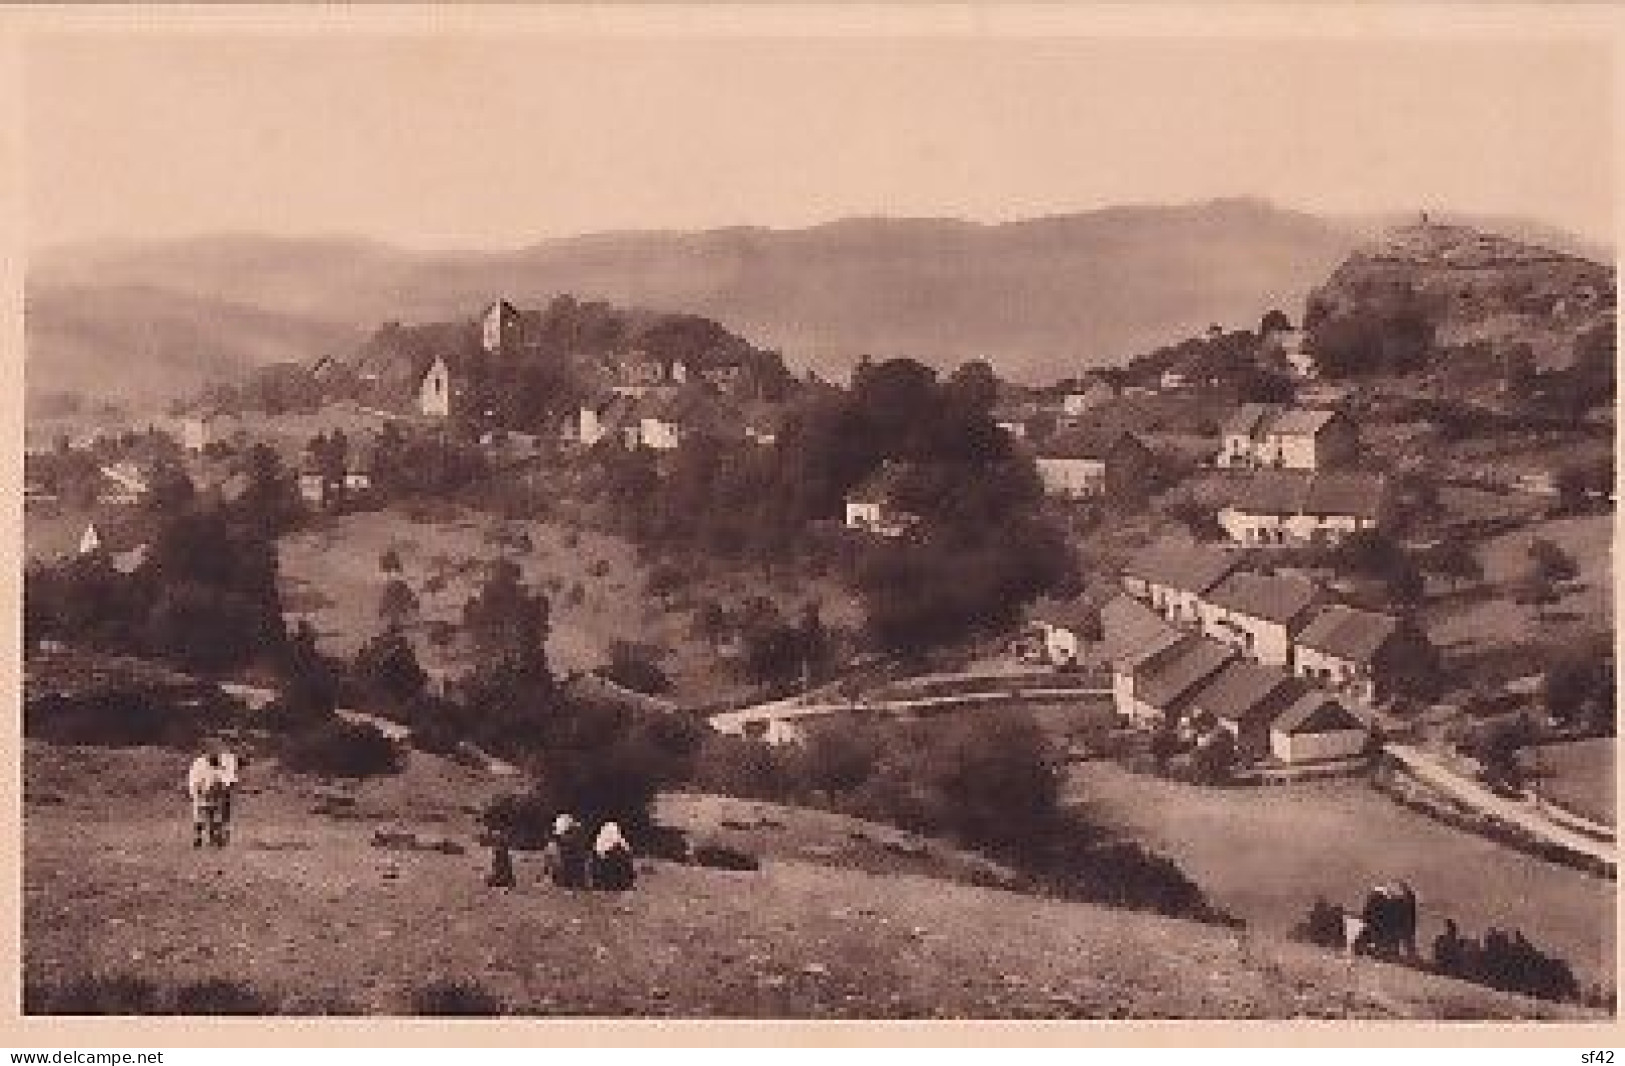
pixel 982 550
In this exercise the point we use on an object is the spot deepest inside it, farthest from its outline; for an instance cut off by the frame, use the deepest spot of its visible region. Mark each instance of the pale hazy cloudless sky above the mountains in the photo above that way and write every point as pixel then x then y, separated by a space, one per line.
pixel 498 141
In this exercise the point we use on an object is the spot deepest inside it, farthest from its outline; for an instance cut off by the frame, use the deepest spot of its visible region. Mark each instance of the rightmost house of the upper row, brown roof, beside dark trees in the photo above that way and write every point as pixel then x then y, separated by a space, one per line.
pixel 1359 654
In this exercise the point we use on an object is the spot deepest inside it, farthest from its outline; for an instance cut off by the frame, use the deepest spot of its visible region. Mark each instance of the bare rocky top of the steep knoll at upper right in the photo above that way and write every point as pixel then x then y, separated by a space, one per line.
pixel 1478 292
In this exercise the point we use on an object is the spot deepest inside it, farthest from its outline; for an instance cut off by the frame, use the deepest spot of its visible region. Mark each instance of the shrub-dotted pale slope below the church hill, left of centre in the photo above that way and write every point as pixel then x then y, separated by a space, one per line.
pixel 596 586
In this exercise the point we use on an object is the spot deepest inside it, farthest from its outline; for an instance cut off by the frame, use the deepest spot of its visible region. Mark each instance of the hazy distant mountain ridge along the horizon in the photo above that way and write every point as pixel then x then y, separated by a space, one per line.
pixel 1039 298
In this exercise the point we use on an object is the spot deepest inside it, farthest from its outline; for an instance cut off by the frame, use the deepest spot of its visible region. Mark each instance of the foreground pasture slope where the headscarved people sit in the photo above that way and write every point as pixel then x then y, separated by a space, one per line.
pixel 319 921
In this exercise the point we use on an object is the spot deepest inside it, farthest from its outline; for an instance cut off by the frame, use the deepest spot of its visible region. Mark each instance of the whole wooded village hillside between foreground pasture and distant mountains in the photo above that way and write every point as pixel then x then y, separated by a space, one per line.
pixel 1361 544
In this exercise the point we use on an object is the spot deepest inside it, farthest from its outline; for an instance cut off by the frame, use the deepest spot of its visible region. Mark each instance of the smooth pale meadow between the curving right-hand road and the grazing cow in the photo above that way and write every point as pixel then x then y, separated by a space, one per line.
pixel 1267 852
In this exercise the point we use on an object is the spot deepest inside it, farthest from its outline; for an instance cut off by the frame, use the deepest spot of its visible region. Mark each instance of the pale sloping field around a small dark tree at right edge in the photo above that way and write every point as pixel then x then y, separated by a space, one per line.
pixel 1587 609
